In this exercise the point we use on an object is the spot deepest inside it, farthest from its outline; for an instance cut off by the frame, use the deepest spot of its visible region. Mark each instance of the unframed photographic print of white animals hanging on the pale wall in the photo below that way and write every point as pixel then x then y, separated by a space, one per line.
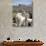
pixel 22 13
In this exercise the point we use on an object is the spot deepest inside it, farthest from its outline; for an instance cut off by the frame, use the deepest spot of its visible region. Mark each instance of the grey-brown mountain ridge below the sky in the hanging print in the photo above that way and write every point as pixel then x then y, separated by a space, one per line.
pixel 21 6
